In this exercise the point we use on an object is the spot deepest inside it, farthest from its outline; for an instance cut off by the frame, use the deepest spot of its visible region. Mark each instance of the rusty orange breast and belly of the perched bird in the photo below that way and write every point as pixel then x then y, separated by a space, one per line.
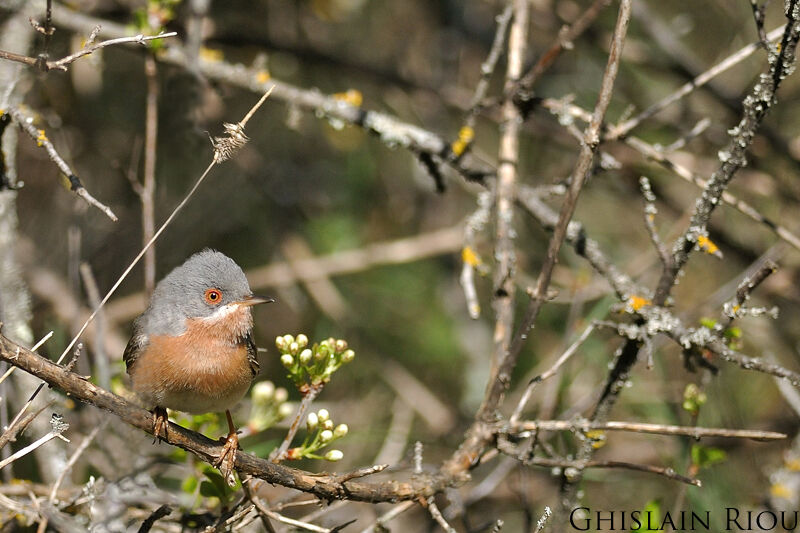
pixel 197 372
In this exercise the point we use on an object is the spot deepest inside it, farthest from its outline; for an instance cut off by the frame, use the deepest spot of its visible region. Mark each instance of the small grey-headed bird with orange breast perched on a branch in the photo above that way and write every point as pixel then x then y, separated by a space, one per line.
pixel 192 350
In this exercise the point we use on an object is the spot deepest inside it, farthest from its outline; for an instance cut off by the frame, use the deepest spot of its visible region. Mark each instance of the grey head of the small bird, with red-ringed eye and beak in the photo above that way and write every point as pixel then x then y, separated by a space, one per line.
pixel 208 282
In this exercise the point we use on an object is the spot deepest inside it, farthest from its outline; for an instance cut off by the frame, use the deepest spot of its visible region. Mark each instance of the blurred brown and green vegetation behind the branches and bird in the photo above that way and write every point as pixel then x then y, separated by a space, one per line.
pixel 307 187
